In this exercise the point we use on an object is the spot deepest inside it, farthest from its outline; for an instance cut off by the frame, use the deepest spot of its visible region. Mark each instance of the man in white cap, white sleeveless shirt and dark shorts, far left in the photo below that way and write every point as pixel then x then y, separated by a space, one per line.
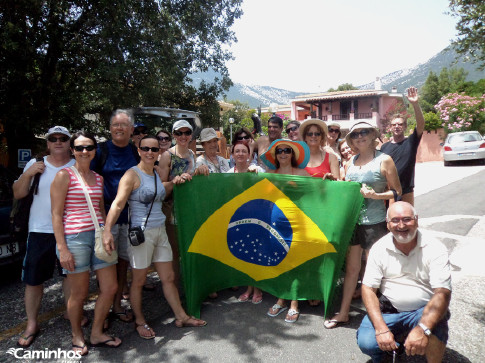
pixel 40 258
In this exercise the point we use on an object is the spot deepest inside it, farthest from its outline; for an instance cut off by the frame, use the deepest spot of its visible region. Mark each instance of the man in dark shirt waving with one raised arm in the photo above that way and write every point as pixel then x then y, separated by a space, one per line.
pixel 403 149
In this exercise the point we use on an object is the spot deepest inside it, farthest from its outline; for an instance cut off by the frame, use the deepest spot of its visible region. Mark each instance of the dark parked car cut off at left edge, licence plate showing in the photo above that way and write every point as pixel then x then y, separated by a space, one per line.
pixel 12 249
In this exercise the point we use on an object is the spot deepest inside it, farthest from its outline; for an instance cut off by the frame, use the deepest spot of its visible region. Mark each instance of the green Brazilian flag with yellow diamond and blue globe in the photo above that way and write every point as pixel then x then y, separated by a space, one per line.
pixel 285 234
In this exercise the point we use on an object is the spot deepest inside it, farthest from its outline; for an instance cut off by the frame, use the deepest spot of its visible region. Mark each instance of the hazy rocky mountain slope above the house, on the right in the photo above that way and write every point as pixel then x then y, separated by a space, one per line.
pixel 416 76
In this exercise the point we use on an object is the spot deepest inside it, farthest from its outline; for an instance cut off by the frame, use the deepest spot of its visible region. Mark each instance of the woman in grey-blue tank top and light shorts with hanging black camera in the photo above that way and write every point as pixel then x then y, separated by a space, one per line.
pixel 137 186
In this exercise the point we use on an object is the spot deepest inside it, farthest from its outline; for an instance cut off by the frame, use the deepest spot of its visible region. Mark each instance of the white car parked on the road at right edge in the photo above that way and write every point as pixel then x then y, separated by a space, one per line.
pixel 466 145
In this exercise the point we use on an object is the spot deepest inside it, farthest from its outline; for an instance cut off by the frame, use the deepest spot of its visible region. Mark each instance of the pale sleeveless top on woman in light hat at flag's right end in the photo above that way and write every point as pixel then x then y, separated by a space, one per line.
pixel 374 210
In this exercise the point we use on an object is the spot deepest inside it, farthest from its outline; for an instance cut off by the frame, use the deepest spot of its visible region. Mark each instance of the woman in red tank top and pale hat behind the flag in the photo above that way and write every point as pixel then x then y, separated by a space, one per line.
pixel 322 164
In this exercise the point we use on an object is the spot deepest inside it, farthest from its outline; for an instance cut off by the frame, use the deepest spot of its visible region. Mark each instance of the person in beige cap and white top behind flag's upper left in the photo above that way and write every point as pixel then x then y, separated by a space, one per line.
pixel 210 162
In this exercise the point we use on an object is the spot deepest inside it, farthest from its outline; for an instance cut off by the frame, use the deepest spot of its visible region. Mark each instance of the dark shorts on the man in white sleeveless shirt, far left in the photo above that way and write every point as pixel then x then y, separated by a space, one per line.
pixel 40 259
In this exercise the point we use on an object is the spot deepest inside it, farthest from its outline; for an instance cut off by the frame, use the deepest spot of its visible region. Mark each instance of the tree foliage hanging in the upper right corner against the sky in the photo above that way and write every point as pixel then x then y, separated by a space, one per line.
pixel 471 29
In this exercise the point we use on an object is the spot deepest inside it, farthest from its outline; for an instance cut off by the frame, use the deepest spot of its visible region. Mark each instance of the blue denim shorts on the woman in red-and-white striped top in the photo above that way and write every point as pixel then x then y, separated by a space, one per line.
pixel 81 246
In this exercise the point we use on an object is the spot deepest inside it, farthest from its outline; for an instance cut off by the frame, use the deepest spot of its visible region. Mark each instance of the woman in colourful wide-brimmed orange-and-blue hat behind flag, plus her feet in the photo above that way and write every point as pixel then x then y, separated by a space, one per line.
pixel 286 157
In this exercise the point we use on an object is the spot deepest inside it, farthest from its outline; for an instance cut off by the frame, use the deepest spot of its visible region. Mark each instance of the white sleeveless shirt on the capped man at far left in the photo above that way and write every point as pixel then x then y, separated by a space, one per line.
pixel 40 211
